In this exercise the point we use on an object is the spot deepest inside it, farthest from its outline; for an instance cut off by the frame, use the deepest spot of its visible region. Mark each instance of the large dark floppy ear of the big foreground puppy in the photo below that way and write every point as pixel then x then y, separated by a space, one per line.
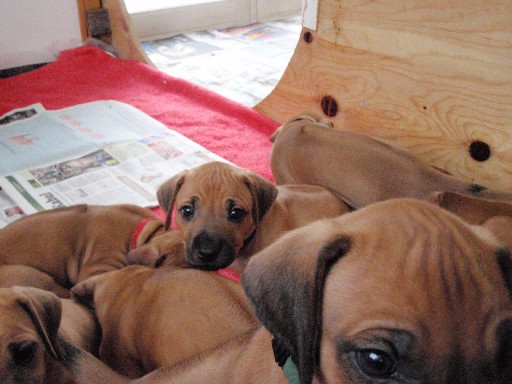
pixel 285 284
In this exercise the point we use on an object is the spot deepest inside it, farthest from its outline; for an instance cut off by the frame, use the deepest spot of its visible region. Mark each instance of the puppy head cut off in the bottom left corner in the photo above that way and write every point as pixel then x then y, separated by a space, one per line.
pixel 29 322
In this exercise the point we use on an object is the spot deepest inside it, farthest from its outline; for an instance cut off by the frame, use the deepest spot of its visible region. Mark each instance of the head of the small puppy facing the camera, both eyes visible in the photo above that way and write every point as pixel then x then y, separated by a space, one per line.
pixel 218 208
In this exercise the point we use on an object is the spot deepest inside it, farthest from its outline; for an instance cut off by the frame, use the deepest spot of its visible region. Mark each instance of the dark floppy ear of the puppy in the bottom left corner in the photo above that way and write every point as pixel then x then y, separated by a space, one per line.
pixel 45 310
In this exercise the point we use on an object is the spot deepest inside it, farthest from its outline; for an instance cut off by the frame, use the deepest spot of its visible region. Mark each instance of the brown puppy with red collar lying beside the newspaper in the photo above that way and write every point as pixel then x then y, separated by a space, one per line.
pixel 72 243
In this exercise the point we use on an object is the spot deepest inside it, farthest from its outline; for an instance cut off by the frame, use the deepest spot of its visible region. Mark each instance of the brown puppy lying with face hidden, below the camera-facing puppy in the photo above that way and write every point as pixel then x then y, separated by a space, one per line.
pixel 151 318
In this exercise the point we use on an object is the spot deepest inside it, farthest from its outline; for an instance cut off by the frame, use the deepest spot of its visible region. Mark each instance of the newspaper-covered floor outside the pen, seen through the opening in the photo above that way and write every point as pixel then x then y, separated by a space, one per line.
pixel 242 63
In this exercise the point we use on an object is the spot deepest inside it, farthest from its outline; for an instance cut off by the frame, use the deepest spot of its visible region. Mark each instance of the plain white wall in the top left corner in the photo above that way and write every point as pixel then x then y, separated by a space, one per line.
pixel 34 31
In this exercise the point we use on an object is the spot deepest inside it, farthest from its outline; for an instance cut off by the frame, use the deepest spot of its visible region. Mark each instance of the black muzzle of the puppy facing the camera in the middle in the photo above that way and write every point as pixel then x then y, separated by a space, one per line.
pixel 210 251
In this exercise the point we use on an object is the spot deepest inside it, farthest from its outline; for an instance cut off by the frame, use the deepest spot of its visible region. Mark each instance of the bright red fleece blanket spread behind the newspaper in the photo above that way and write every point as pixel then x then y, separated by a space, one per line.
pixel 231 130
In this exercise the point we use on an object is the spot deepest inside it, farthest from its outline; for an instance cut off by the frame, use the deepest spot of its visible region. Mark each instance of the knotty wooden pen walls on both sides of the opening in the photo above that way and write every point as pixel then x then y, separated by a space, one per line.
pixel 432 76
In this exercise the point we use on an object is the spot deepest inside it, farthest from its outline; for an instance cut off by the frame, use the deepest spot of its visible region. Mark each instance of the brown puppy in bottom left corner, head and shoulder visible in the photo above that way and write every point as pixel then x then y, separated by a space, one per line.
pixel 29 317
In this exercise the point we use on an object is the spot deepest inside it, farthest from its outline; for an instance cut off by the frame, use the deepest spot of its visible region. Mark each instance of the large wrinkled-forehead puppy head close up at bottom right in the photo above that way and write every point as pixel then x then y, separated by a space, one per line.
pixel 398 292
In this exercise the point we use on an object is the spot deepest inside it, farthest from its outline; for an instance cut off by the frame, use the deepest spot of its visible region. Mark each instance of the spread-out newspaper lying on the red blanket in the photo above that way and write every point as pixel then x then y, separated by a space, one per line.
pixel 103 152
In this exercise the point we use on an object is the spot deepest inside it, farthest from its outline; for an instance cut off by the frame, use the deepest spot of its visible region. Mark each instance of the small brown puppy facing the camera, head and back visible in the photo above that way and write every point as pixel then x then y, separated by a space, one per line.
pixel 227 213
